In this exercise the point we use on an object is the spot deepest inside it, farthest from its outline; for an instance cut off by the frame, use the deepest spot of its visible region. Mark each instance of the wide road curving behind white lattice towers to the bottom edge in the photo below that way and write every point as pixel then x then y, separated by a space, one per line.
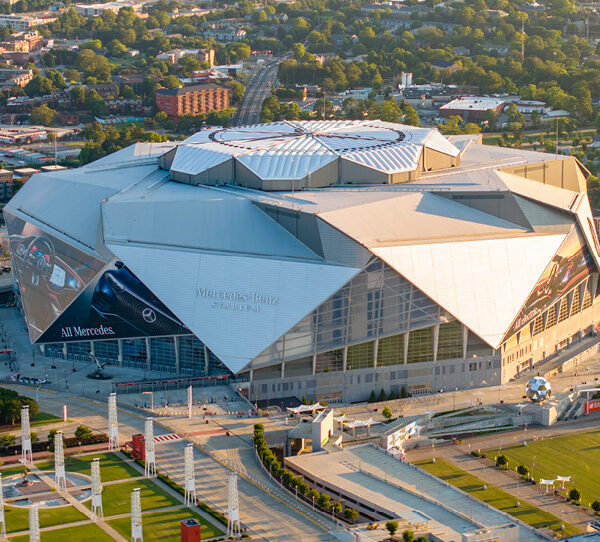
pixel 261 511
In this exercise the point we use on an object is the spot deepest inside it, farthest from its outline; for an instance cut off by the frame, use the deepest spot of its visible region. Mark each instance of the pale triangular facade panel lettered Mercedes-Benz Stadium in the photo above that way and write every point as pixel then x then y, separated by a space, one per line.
pixel 269 295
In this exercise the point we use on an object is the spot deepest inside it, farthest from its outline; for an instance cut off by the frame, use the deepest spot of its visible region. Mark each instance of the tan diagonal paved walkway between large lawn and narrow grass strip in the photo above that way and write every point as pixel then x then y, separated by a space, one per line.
pixel 534 494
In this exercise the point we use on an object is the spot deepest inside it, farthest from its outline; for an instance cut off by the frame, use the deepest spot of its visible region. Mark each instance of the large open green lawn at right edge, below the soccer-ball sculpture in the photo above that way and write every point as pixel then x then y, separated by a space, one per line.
pixel 573 455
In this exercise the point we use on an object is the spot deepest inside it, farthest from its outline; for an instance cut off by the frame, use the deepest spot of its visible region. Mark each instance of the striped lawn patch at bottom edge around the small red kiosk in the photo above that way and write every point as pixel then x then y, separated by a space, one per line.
pixel 164 525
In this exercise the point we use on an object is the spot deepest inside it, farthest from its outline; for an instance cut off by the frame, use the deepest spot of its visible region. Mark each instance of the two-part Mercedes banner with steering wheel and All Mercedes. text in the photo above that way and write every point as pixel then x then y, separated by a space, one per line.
pixel 69 295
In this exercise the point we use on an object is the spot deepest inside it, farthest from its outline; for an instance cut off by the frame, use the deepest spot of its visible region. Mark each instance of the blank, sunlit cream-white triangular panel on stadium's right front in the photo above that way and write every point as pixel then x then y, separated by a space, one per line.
pixel 483 284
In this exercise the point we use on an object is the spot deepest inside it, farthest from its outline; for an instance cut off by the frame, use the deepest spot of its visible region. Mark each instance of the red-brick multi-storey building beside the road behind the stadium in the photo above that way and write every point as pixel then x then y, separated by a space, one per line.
pixel 192 99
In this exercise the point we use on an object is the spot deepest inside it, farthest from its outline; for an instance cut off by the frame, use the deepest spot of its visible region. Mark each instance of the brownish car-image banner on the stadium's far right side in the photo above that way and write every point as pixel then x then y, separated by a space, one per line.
pixel 569 266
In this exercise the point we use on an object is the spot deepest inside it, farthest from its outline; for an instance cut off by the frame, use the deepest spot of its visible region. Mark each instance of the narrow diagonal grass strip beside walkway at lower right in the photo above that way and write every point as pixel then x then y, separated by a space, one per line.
pixel 494 496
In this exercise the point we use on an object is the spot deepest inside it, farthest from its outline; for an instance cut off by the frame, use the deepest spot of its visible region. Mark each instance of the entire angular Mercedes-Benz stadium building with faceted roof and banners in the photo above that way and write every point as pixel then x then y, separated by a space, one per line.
pixel 322 259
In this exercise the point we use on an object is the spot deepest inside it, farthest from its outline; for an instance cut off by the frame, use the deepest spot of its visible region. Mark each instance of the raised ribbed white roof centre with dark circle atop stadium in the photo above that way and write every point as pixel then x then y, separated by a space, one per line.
pixel 294 149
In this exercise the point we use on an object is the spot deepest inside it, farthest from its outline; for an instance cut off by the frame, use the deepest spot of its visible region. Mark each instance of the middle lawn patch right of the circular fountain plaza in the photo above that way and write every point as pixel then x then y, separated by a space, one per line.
pixel 116 498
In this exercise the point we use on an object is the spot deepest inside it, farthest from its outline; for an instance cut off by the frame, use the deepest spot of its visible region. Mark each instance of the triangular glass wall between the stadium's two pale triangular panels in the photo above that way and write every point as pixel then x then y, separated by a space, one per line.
pixel 377 303
